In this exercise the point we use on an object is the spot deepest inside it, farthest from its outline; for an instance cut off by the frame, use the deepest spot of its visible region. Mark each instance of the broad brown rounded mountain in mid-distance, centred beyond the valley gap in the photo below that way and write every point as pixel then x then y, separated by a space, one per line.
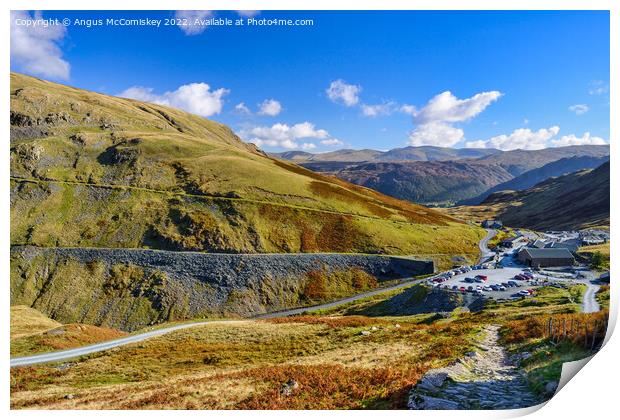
pixel 433 182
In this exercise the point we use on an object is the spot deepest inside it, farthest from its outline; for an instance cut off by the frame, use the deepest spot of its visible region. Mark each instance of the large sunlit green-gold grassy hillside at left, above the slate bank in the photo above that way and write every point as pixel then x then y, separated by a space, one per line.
pixel 121 173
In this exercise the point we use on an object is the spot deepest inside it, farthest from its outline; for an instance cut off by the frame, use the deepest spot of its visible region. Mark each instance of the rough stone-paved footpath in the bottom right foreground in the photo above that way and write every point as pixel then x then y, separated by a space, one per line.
pixel 484 379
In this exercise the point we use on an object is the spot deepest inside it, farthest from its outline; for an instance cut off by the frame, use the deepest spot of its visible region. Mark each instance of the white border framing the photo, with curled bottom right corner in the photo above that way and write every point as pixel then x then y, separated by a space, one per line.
pixel 591 395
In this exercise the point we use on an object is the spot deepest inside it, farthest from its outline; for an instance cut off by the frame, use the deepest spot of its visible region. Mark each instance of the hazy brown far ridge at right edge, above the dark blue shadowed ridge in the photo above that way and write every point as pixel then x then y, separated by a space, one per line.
pixel 519 161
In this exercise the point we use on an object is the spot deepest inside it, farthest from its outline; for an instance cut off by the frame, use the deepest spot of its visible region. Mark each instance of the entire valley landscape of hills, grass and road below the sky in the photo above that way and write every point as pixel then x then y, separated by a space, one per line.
pixel 159 261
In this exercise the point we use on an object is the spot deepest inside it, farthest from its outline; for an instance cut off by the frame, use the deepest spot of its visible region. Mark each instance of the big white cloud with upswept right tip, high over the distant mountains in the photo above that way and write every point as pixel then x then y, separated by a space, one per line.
pixel 446 107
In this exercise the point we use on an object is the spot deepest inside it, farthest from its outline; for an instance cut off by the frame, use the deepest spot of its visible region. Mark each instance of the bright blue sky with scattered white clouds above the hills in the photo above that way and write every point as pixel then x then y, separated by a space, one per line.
pixel 352 79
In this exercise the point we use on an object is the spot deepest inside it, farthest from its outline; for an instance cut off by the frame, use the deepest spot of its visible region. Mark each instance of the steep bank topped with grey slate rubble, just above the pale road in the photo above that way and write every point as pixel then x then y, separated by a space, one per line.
pixel 131 288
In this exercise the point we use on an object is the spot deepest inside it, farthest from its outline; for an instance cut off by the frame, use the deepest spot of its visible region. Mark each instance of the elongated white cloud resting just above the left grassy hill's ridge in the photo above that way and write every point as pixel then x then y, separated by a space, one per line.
pixel 196 98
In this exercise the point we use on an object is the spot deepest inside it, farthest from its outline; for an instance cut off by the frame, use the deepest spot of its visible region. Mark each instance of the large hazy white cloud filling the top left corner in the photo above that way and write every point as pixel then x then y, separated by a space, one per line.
pixel 35 48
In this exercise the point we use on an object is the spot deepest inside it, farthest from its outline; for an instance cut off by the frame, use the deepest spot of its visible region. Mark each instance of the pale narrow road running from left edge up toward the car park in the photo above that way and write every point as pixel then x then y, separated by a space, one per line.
pixel 107 345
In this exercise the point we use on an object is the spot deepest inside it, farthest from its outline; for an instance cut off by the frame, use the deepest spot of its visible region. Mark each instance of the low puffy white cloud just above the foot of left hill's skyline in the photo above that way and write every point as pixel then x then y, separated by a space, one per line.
pixel 285 136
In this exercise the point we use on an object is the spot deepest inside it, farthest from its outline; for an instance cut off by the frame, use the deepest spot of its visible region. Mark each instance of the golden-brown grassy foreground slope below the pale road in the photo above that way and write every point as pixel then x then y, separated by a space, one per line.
pixel 335 365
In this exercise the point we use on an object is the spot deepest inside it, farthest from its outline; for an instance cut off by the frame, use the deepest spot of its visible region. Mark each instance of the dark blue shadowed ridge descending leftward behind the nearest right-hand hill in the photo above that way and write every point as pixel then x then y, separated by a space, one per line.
pixel 533 177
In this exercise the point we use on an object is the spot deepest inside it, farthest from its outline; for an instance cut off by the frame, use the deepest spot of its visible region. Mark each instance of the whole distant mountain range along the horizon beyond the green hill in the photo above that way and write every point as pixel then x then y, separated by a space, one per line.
pixel 444 176
